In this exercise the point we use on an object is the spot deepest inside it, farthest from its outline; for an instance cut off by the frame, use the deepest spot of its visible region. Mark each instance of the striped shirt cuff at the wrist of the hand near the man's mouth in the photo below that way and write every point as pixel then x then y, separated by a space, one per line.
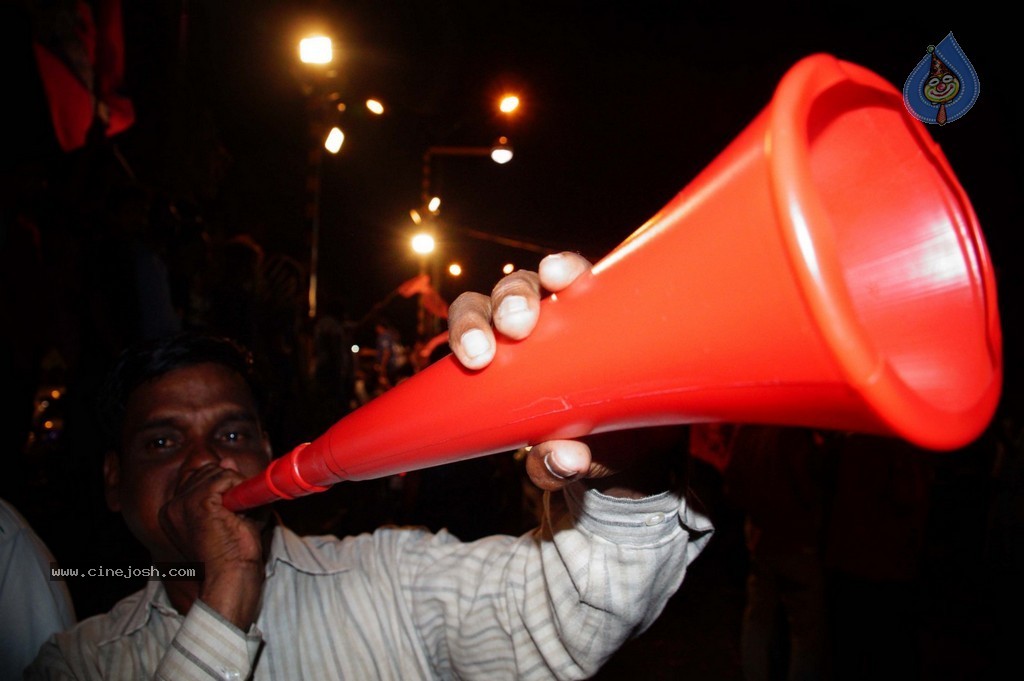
pixel 209 647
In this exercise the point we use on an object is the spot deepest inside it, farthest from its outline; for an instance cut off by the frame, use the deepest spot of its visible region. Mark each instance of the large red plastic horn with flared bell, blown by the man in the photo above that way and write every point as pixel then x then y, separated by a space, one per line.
pixel 826 271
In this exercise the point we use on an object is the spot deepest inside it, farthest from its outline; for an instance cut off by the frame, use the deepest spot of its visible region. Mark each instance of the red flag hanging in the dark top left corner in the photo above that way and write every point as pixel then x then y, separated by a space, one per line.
pixel 80 56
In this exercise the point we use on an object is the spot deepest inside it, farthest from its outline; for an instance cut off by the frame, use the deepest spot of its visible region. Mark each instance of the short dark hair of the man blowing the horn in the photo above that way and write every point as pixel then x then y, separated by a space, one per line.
pixel 147 362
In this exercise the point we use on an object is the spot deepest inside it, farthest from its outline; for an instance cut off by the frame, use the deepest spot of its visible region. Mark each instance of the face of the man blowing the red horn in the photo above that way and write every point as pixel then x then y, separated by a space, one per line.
pixel 186 419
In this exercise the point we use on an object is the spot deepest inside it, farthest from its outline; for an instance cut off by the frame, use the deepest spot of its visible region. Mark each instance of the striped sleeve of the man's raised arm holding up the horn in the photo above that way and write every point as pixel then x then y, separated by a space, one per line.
pixel 558 603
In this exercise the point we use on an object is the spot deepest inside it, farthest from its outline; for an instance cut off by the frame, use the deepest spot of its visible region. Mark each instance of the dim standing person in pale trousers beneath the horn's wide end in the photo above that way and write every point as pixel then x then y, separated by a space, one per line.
pixel 779 478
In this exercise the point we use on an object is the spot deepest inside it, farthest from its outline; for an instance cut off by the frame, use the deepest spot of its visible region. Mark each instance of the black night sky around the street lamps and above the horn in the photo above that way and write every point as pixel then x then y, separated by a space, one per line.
pixel 624 104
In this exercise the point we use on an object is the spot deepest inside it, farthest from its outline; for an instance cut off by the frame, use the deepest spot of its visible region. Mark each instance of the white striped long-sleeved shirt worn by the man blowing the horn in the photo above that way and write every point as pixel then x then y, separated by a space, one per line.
pixel 404 604
